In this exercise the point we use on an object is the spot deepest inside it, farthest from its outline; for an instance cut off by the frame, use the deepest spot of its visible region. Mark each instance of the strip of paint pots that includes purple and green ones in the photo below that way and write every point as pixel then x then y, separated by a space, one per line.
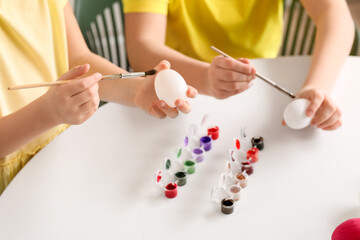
pixel 184 161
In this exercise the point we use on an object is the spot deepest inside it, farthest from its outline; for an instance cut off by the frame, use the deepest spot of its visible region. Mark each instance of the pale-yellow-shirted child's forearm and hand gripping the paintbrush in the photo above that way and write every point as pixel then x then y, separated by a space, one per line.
pixel 71 103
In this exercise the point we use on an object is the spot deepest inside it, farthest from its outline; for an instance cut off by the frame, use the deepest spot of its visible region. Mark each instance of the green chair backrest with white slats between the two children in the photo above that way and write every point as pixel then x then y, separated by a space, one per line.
pixel 102 25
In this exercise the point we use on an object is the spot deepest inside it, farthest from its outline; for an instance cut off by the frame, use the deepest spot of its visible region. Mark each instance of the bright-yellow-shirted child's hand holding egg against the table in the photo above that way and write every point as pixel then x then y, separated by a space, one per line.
pixel 324 112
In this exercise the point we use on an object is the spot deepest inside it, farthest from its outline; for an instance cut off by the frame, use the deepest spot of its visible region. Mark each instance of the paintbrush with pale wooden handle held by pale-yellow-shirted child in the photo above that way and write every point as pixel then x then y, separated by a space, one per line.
pixel 104 78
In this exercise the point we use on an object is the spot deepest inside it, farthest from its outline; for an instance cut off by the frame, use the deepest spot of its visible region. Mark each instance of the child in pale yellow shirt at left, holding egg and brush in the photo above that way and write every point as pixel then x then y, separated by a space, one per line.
pixel 39 41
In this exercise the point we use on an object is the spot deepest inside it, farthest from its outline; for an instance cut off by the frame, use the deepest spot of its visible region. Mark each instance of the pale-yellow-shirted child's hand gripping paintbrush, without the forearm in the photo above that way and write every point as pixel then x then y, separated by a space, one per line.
pixel 74 102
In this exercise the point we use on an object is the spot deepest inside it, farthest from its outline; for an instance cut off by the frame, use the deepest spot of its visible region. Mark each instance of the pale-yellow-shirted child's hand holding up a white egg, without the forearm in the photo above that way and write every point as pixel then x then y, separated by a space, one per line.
pixel 146 98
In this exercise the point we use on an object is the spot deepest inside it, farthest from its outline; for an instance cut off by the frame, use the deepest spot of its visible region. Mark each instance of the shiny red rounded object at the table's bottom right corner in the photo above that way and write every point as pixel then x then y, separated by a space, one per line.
pixel 348 230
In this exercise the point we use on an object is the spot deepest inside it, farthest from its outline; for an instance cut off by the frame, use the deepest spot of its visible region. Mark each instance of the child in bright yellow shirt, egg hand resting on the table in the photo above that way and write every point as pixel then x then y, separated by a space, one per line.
pixel 182 31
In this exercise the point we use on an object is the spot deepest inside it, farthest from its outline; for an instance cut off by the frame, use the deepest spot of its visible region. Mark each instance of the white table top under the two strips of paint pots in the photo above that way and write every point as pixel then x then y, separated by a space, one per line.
pixel 96 181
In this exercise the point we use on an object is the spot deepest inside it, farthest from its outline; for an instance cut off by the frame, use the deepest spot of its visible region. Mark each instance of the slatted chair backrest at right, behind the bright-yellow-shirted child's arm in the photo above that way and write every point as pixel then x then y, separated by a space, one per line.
pixel 299 31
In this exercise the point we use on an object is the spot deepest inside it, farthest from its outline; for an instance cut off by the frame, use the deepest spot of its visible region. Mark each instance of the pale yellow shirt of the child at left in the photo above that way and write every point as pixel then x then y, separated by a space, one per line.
pixel 33 48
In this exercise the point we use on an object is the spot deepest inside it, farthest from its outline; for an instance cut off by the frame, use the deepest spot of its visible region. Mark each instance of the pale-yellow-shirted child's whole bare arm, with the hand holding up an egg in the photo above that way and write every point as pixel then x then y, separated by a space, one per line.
pixel 133 92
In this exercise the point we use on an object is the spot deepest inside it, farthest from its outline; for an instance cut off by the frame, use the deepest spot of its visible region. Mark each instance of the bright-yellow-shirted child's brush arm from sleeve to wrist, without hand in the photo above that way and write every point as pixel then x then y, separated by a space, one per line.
pixel 145 41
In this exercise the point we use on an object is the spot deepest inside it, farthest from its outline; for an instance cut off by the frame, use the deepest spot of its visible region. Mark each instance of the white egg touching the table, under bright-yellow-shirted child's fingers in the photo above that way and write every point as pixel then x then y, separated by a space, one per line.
pixel 294 114
